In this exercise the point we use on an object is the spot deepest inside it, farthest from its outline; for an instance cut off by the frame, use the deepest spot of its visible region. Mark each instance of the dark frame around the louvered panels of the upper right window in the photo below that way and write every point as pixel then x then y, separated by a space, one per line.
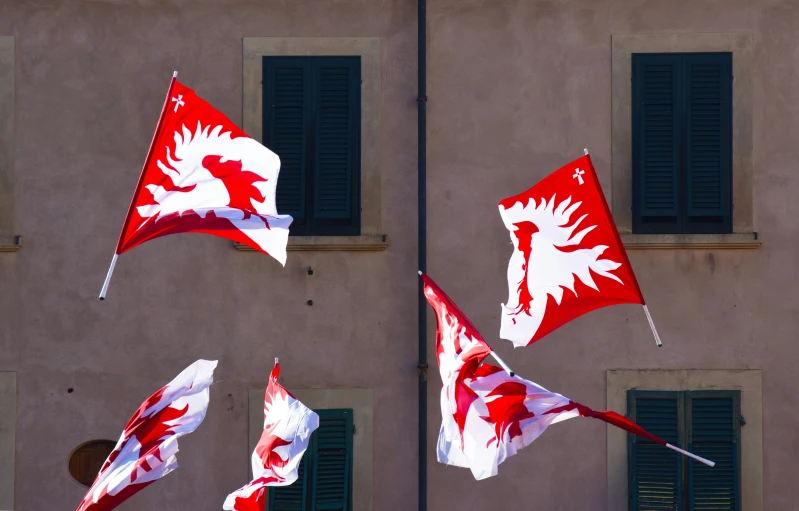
pixel 681 225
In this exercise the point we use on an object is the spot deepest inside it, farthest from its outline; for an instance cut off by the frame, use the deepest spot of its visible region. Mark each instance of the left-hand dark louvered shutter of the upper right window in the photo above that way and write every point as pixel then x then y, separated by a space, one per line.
pixel 656 137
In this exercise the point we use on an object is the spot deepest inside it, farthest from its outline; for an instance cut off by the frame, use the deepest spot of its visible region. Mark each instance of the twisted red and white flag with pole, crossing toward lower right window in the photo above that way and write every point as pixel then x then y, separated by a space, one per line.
pixel 487 414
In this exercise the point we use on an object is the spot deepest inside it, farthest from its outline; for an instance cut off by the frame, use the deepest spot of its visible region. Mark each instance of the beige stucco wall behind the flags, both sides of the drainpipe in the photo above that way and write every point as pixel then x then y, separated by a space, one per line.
pixel 516 89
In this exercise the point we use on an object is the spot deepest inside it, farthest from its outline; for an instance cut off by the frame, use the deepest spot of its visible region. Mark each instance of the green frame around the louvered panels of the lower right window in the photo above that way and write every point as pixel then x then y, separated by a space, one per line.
pixel 685 432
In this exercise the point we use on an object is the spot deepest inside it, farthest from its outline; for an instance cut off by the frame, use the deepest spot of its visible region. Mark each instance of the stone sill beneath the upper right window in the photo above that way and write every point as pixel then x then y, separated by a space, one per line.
pixel 746 240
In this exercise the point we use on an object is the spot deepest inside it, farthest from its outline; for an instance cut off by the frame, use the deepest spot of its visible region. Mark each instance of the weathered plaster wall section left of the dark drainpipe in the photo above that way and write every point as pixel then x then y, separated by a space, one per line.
pixel 90 81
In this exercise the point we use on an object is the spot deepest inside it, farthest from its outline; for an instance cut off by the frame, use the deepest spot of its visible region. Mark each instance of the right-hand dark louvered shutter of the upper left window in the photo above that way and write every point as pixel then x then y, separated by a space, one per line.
pixel 336 136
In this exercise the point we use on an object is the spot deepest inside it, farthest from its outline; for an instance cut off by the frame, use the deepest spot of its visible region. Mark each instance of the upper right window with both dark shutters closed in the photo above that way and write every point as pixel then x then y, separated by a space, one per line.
pixel 682 143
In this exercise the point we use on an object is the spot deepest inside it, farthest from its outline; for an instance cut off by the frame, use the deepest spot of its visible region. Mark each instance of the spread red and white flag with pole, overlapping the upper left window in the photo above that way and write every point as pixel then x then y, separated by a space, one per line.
pixel 204 174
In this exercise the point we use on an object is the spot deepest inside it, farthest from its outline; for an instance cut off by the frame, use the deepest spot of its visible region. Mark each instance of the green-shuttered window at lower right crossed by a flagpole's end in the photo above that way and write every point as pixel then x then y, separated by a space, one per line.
pixel 707 423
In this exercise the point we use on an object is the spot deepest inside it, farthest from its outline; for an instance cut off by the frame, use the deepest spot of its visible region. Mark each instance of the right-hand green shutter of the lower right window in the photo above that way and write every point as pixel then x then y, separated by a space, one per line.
pixel 714 434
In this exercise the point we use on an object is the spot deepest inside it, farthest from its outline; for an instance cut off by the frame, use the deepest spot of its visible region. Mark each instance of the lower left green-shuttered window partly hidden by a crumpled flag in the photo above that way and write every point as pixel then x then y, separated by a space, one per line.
pixel 325 473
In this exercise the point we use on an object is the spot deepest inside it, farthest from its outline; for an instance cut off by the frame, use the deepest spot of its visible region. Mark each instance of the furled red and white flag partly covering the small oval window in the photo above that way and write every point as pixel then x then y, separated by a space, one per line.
pixel 147 449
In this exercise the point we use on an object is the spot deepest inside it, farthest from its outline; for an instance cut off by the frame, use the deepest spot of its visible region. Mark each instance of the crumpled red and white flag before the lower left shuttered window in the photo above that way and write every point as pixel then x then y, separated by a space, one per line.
pixel 288 425
